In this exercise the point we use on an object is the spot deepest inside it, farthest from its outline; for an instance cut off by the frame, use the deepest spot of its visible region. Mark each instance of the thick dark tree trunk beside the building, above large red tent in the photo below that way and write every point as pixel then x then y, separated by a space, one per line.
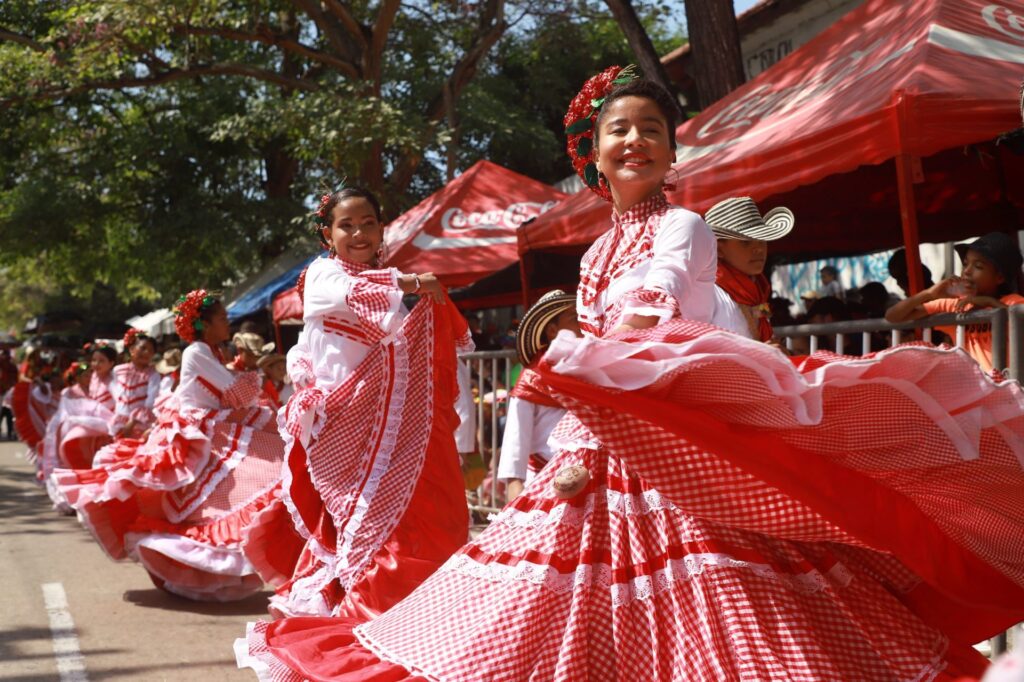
pixel 718 61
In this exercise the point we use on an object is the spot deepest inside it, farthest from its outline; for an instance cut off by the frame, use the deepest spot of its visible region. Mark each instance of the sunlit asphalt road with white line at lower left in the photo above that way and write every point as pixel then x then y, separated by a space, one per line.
pixel 70 614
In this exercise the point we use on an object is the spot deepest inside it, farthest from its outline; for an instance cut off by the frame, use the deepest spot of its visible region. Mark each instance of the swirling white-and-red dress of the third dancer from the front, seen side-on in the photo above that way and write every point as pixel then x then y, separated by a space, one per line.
pixel 179 501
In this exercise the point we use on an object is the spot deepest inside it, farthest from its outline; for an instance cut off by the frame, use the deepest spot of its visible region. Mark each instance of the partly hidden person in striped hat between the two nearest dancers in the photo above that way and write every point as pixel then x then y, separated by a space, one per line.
pixel 532 413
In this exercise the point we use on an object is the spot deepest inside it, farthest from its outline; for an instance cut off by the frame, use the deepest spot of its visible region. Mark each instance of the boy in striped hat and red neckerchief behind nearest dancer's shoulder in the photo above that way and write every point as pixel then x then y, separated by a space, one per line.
pixel 742 290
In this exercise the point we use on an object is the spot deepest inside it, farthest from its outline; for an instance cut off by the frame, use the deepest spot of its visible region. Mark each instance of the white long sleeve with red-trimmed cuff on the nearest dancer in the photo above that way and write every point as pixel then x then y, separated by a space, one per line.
pixel 681 277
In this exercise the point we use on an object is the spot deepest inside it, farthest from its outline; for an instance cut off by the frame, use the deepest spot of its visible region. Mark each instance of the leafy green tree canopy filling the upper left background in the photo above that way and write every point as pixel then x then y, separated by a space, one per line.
pixel 156 146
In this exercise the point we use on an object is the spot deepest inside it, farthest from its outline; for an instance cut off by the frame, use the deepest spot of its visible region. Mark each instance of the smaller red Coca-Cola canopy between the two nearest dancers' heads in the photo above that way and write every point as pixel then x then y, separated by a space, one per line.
pixel 467 230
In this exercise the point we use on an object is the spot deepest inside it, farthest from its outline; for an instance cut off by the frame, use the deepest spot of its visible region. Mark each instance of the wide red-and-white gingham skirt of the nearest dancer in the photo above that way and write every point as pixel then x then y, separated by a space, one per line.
pixel 746 520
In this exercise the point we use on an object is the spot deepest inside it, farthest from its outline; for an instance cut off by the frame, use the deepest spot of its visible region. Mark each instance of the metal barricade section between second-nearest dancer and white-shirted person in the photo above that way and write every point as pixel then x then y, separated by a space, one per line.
pixel 491 382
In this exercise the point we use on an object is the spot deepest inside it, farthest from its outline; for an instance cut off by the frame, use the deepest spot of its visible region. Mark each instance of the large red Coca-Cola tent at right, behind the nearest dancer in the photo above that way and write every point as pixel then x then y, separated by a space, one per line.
pixel 887 118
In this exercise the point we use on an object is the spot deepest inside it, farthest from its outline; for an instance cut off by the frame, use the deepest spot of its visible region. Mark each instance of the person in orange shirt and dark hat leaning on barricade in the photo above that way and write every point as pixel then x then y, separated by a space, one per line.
pixel 991 279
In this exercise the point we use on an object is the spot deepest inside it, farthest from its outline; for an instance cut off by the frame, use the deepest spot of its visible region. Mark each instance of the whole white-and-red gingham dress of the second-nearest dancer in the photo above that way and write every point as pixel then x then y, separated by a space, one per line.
pixel 373 500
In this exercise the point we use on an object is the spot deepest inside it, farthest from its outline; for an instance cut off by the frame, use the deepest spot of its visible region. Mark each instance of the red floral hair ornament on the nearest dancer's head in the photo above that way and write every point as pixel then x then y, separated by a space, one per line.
pixel 581 121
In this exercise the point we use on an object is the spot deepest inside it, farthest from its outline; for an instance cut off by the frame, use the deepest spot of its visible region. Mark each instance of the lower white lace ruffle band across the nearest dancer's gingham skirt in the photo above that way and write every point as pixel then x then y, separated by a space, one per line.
pixel 643 587
